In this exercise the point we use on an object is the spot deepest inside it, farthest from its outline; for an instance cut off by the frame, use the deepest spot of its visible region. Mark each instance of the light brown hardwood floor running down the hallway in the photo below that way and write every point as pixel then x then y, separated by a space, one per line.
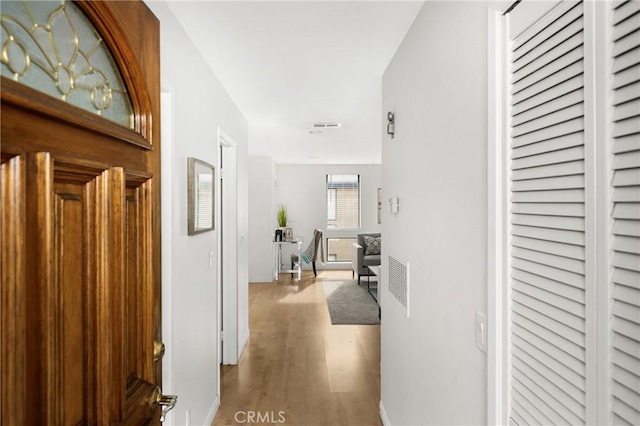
pixel 298 369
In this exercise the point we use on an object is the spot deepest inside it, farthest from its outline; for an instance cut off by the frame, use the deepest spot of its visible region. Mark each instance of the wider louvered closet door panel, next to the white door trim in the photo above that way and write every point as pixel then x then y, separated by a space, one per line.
pixel 548 356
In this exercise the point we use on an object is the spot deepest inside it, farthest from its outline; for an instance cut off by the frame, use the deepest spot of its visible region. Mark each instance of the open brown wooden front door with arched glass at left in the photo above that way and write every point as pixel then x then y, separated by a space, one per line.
pixel 80 223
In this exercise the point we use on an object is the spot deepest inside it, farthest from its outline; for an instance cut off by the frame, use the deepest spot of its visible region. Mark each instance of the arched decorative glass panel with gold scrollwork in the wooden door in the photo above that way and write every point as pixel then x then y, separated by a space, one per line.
pixel 52 47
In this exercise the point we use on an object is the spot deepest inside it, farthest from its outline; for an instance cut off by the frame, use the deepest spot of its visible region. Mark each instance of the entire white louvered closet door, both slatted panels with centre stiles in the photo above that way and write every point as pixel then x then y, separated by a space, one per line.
pixel 573 213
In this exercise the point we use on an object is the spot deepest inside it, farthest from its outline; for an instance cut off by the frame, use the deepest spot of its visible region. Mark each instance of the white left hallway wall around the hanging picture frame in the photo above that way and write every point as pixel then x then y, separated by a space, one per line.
pixel 199 105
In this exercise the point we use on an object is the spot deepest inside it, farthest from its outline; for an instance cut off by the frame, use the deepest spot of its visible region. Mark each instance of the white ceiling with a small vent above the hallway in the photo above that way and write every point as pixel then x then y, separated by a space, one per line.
pixel 290 64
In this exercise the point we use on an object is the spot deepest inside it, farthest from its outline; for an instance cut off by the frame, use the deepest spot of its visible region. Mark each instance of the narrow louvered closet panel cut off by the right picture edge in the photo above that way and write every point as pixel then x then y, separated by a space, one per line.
pixel 625 353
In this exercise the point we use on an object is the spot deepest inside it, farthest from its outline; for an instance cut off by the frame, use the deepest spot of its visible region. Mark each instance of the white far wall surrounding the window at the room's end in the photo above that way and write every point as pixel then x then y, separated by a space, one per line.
pixel 302 188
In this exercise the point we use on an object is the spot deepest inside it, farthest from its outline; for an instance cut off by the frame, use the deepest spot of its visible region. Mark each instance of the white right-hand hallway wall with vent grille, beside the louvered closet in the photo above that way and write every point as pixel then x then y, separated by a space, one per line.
pixel 431 370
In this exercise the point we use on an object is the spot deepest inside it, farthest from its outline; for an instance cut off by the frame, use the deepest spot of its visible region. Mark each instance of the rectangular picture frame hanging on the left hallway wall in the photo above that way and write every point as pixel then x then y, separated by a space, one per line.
pixel 201 196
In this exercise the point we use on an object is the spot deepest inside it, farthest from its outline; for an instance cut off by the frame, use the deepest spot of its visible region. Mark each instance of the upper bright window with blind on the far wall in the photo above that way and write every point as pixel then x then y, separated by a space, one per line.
pixel 343 201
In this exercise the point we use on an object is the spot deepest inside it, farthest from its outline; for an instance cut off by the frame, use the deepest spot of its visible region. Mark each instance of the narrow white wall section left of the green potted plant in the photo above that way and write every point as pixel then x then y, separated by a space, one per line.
pixel 262 176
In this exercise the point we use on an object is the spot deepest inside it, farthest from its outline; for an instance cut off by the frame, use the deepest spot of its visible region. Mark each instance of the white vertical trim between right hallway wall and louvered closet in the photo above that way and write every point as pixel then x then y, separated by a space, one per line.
pixel 498 248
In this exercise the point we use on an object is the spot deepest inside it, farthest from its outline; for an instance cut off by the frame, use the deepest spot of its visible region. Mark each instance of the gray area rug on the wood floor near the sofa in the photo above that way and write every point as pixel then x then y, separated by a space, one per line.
pixel 350 304
